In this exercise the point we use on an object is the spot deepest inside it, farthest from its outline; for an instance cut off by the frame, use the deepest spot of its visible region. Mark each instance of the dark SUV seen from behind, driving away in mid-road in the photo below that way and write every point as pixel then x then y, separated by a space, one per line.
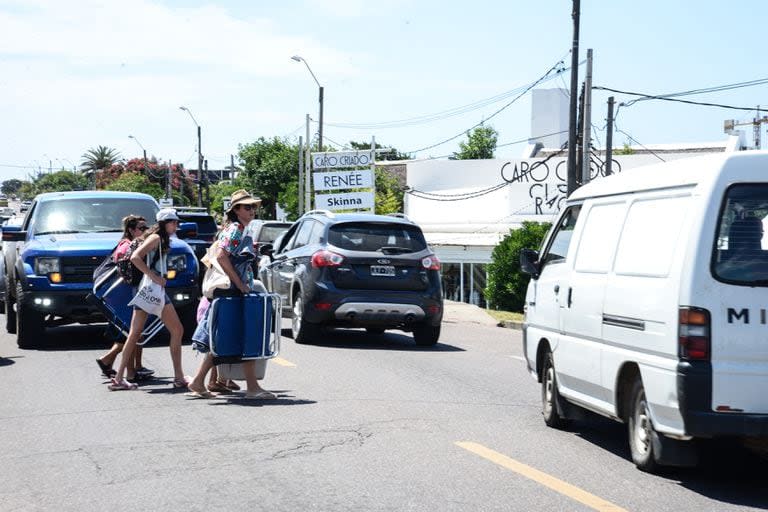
pixel 356 270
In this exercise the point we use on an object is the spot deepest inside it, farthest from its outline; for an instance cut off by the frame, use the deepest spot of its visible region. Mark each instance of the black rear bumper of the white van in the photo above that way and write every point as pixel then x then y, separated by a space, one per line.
pixel 694 388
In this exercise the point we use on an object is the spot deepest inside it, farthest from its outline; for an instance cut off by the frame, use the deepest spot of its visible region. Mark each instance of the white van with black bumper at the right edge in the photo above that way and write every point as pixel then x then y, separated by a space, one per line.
pixel 649 304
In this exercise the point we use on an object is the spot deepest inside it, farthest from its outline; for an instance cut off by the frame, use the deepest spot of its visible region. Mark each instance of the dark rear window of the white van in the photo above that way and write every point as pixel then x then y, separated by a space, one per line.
pixel 741 251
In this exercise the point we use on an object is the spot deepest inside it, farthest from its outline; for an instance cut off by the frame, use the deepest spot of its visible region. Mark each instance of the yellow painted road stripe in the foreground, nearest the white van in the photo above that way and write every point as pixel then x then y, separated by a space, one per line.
pixel 544 479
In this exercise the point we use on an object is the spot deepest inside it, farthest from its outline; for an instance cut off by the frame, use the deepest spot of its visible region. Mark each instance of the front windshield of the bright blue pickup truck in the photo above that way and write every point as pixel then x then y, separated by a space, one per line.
pixel 89 215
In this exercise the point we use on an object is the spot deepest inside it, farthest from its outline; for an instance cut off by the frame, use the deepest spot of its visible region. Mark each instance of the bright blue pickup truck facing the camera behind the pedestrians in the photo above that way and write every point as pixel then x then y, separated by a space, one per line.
pixel 49 261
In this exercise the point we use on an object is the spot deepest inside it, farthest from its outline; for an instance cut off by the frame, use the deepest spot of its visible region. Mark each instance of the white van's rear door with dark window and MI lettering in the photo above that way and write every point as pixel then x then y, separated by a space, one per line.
pixel 739 264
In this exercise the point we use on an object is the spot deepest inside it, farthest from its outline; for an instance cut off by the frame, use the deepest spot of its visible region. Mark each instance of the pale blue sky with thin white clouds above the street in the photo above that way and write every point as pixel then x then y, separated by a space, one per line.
pixel 76 74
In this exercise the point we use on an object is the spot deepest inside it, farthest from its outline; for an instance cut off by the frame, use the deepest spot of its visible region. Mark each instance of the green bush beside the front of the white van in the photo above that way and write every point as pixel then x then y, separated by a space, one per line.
pixel 506 281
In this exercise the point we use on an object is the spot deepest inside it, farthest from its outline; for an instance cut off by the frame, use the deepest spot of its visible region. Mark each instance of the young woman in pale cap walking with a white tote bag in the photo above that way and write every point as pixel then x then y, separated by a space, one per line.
pixel 156 239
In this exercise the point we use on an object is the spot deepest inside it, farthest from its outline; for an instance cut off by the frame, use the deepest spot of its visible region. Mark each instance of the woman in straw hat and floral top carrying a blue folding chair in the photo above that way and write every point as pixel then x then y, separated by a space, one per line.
pixel 241 212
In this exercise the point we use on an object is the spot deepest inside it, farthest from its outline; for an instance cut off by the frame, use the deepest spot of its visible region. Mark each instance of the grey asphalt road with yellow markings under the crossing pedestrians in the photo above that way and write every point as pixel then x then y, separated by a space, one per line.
pixel 362 423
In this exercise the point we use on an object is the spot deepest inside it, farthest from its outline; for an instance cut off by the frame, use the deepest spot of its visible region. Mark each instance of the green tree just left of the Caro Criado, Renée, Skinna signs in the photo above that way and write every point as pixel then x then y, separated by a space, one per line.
pixel 269 167
